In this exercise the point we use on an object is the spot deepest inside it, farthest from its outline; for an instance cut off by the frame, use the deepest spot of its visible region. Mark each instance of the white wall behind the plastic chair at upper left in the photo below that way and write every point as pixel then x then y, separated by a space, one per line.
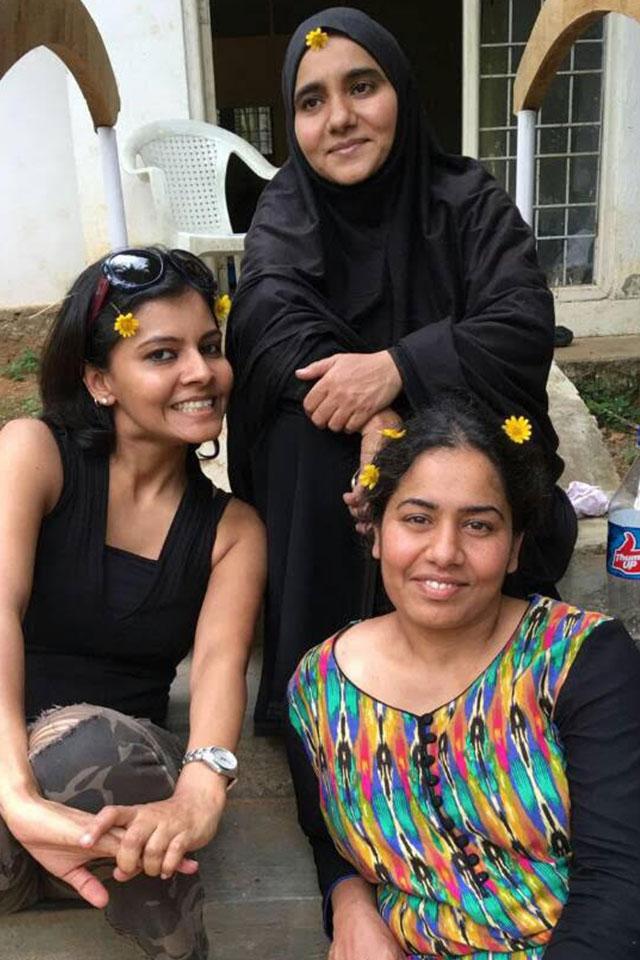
pixel 53 219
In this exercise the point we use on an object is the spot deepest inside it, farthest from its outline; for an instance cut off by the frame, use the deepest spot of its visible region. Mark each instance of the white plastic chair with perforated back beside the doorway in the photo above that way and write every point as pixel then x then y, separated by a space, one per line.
pixel 186 162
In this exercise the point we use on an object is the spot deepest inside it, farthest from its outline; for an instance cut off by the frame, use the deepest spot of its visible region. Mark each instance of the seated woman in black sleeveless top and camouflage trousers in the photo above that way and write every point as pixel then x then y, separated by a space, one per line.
pixel 117 556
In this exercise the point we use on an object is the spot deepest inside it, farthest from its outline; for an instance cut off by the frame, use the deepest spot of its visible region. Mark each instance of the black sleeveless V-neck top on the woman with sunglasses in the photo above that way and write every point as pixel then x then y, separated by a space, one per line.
pixel 79 647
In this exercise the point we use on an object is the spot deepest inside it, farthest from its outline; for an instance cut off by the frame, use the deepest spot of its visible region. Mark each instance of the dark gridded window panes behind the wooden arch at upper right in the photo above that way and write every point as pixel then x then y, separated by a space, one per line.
pixel 567 134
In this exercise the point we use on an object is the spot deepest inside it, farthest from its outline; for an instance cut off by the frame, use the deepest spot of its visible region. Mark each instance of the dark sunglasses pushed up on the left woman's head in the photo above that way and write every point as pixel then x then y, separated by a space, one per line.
pixel 133 270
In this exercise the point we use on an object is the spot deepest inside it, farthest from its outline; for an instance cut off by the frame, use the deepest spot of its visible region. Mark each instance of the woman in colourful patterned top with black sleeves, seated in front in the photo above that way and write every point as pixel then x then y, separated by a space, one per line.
pixel 467 767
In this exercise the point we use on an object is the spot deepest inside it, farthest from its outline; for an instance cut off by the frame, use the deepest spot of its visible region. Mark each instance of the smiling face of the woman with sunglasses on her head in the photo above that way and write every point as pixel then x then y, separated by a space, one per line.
pixel 169 382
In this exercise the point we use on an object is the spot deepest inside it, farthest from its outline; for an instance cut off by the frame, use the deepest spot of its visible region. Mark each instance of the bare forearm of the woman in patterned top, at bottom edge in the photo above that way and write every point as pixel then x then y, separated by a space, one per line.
pixel 359 932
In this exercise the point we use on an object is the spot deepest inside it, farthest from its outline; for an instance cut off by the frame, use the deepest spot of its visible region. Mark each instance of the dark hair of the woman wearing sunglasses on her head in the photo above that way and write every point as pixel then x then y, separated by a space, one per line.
pixel 73 341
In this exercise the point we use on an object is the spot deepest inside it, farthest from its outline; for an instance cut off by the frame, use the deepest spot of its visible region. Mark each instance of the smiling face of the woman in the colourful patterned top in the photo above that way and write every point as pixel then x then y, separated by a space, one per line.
pixel 446 541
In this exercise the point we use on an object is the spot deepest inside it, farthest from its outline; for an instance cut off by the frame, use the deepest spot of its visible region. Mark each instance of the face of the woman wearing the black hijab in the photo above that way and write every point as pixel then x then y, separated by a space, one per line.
pixel 345 112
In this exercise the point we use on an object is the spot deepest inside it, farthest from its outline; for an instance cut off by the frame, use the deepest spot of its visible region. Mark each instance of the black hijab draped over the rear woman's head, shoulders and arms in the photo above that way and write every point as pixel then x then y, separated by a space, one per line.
pixel 428 256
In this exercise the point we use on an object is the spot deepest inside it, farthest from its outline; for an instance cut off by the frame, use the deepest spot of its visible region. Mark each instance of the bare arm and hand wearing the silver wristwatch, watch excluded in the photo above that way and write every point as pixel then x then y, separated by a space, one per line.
pixel 159 834
